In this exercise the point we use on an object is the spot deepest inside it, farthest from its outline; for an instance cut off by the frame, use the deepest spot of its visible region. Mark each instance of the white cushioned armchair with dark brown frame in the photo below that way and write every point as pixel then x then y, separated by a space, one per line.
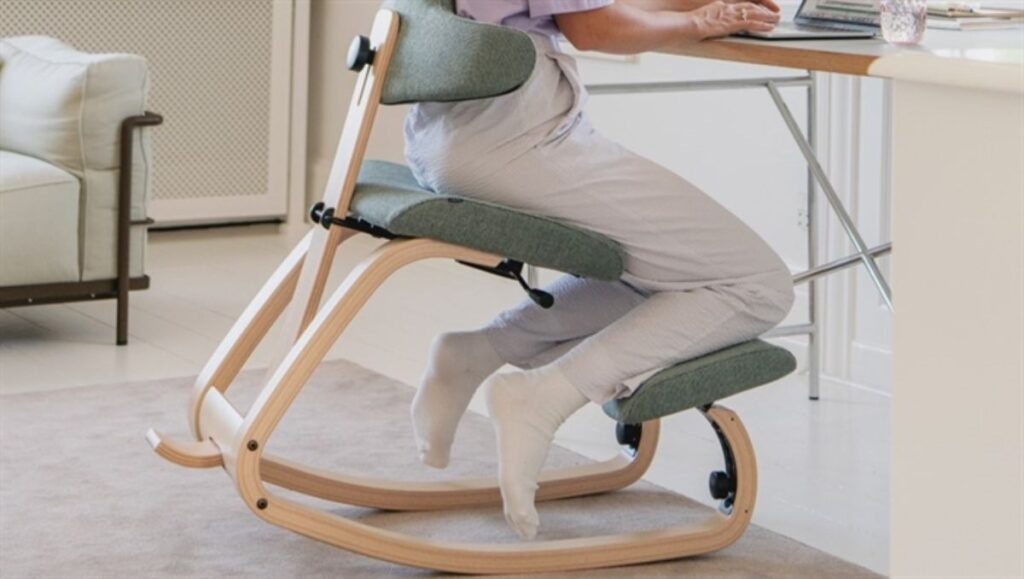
pixel 72 222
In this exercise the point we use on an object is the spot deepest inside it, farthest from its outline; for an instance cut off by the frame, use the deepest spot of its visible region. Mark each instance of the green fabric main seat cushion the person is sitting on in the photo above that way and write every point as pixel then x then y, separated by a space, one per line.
pixel 388 196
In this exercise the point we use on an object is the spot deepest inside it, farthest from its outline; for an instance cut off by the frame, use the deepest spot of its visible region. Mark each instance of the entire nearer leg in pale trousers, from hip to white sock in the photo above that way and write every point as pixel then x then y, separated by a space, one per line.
pixel 679 242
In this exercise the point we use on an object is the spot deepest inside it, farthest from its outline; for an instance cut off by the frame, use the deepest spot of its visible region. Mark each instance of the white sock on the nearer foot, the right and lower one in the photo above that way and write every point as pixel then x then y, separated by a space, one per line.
pixel 527 408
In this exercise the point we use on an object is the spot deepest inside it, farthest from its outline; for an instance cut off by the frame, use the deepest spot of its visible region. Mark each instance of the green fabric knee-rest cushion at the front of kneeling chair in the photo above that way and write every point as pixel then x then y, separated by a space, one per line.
pixel 704 381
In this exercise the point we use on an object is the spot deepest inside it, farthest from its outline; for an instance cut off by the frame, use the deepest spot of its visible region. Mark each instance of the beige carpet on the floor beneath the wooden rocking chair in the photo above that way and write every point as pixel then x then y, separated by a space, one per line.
pixel 81 494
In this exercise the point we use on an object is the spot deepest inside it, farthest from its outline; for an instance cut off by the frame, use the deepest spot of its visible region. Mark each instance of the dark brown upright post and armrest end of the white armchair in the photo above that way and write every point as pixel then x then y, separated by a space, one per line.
pixel 129 128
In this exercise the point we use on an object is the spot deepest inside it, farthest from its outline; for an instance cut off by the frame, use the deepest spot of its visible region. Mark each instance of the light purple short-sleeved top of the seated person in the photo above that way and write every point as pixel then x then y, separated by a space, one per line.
pixel 528 16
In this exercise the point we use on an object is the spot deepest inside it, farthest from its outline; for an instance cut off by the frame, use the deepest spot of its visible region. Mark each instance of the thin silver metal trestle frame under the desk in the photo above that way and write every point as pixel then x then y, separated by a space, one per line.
pixel 816 177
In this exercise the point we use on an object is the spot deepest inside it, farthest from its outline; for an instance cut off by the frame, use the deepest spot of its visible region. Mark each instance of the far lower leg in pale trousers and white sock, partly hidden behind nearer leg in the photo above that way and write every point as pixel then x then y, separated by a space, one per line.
pixel 521 337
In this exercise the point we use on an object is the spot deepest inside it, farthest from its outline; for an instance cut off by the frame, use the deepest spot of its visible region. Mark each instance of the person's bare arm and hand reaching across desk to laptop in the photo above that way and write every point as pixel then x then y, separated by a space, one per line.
pixel 626 29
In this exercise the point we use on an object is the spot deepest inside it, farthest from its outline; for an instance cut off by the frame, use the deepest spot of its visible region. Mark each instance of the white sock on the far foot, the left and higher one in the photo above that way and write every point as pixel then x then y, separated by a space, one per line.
pixel 459 362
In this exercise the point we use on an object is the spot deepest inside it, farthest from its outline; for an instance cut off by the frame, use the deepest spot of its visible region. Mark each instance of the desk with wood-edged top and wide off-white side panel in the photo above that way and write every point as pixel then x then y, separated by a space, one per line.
pixel 958 413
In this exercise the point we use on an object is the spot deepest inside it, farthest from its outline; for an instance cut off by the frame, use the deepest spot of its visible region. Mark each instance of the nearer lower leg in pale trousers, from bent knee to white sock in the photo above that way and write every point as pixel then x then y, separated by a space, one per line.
pixel 528 407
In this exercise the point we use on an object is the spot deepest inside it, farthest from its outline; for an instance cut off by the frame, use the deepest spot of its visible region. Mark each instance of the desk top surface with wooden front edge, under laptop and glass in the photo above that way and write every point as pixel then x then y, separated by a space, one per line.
pixel 993 60
